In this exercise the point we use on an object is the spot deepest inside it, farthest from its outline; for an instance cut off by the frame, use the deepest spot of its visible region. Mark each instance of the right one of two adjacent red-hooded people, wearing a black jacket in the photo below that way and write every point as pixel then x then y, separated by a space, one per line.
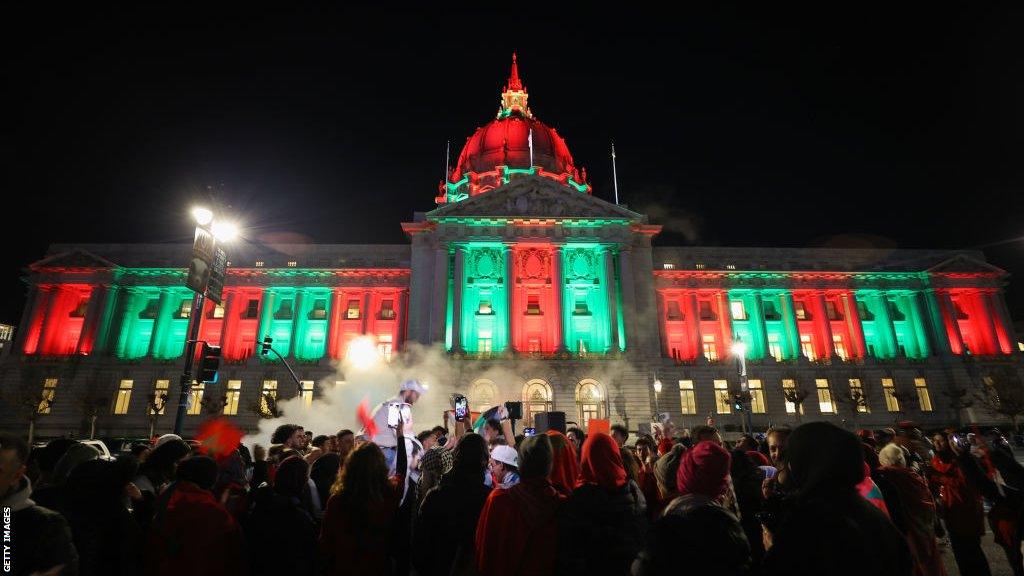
pixel 603 525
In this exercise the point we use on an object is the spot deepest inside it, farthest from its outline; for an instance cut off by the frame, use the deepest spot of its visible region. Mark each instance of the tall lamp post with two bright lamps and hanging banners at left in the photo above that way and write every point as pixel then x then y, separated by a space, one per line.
pixel 207 235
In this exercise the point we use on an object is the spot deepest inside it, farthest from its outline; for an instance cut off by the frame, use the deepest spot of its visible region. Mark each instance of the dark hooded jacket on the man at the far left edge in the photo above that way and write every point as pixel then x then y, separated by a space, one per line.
pixel 40 536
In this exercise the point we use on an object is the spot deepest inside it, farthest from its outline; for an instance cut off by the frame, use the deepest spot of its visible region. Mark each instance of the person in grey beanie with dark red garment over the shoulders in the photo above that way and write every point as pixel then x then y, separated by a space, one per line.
pixel 518 532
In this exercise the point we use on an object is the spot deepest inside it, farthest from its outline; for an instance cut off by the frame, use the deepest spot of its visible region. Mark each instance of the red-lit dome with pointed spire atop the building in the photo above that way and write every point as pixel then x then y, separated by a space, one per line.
pixel 514 144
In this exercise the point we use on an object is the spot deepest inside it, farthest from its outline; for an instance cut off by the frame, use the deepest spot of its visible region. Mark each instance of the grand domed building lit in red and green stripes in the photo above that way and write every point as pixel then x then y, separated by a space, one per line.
pixel 521 268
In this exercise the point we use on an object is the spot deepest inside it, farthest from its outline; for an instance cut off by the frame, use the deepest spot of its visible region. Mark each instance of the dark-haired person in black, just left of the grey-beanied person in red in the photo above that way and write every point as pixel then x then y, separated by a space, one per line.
pixel 443 537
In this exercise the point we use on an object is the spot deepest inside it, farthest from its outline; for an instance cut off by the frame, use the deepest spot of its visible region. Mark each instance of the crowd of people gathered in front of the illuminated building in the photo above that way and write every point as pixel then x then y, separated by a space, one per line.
pixel 817 500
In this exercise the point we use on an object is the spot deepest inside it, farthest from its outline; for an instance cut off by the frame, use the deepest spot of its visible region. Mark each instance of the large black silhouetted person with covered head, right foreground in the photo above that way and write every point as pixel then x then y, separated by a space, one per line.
pixel 830 527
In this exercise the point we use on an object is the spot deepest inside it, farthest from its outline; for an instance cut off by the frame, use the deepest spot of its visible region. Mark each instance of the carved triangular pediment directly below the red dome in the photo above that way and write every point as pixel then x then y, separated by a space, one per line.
pixel 535 197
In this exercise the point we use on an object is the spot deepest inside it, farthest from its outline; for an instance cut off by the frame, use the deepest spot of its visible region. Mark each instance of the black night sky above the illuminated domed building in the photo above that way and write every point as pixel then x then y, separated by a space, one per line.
pixel 900 127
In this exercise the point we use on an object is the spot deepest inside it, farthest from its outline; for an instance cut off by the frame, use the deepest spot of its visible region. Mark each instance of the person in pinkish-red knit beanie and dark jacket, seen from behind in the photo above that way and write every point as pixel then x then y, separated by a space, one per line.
pixel 696 525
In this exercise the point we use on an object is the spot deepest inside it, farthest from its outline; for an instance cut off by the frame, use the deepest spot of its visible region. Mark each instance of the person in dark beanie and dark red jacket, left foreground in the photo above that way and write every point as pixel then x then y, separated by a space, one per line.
pixel 192 532
